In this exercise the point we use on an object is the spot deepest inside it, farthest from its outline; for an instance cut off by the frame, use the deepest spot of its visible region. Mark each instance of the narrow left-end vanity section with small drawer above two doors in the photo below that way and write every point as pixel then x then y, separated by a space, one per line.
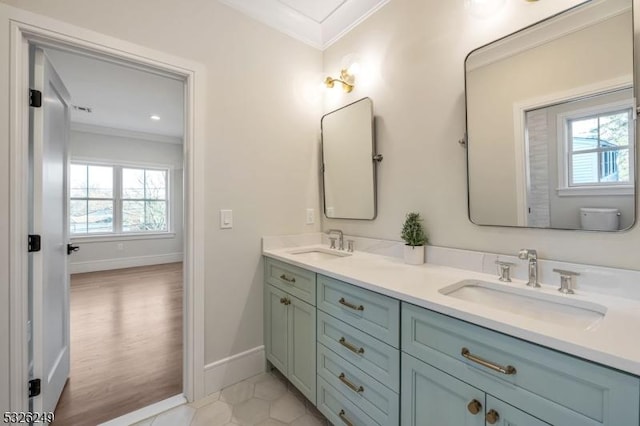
pixel 290 324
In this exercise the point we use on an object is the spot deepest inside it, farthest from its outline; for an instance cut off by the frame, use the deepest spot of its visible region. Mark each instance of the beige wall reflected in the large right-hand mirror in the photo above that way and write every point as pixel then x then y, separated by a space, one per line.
pixel 547 70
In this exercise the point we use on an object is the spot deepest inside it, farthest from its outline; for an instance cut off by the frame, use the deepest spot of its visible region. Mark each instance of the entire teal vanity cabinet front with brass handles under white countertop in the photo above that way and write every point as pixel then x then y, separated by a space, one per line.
pixel 366 359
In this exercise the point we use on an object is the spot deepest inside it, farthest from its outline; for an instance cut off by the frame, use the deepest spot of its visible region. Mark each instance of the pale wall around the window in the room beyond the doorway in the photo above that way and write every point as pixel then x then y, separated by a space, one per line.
pixel 96 255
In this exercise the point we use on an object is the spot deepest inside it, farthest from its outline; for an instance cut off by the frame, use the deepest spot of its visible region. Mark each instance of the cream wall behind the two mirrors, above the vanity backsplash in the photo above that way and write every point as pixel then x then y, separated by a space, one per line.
pixel 413 54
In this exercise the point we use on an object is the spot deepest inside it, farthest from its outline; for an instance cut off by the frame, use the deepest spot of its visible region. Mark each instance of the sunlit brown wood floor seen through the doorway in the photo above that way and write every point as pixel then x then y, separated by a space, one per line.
pixel 126 343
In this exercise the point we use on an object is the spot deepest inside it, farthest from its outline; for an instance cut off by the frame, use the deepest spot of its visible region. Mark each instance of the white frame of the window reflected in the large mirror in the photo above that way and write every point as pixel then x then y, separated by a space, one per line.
pixel 564 153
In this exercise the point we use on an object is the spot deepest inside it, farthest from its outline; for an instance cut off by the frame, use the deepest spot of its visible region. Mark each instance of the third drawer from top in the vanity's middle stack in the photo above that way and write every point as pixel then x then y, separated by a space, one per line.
pixel 378 401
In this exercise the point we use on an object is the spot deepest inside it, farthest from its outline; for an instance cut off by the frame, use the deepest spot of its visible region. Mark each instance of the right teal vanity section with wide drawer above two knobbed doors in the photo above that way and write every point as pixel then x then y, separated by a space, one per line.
pixel 448 364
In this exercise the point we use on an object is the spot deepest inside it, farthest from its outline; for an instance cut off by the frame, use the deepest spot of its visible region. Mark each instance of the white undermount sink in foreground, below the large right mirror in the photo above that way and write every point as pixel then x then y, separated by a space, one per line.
pixel 558 310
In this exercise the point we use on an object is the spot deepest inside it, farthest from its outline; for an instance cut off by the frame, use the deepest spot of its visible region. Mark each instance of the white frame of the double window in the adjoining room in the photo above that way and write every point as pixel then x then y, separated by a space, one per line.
pixel 118 234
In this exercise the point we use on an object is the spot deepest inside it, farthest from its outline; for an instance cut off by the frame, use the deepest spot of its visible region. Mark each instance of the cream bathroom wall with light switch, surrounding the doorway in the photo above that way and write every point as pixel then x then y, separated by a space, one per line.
pixel 261 151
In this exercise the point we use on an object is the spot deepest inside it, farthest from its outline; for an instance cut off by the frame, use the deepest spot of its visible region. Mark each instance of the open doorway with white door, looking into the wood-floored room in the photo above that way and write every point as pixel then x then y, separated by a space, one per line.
pixel 124 215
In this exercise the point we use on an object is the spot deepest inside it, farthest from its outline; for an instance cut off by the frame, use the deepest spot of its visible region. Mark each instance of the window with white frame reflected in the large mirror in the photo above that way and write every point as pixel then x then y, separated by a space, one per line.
pixel 598 150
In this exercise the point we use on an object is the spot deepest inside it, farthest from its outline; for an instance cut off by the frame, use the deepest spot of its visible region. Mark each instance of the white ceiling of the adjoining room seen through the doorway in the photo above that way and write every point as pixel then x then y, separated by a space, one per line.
pixel 121 98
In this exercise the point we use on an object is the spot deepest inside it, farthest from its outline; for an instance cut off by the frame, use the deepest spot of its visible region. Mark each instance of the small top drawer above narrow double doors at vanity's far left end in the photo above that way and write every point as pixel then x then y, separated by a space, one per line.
pixel 296 281
